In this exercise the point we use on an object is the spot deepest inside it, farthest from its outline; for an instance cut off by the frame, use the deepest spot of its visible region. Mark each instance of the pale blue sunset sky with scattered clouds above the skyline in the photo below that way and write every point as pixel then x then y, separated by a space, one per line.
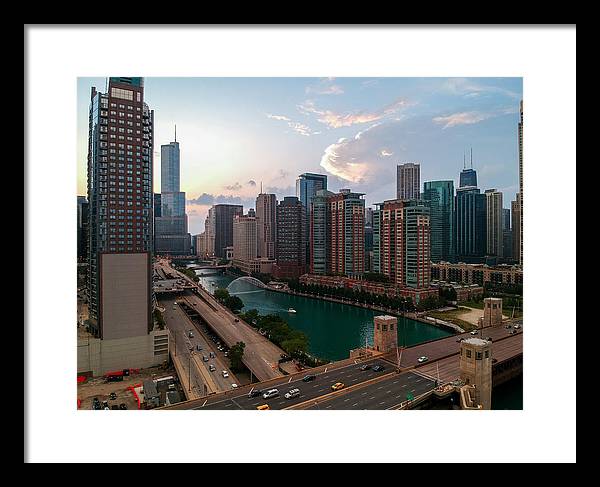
pixel 236 133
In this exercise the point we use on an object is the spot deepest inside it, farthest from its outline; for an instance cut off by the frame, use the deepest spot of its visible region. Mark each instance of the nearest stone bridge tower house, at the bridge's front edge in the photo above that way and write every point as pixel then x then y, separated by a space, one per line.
pixel 476 368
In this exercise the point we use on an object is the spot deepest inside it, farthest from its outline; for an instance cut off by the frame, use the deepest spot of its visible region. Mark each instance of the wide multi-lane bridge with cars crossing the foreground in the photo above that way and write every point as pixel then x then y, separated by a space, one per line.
pixel 403 377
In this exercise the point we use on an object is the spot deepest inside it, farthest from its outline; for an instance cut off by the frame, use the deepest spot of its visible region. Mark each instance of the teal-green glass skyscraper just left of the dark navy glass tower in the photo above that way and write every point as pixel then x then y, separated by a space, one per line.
pixel 439 195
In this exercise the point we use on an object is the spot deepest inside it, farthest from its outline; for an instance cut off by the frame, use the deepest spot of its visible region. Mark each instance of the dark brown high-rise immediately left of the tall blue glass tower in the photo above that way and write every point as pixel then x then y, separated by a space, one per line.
pixel 290 251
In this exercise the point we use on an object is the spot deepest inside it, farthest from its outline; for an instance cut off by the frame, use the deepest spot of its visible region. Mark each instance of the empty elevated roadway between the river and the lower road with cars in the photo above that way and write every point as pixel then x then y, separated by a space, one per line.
pixel 261 356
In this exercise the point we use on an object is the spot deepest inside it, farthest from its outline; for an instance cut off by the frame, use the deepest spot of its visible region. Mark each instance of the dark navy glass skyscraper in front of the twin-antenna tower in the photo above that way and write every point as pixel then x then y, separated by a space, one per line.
pixel 470 225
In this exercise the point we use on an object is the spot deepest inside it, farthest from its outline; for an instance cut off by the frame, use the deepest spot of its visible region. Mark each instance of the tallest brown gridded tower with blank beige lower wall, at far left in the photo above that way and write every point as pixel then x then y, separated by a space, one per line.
pixel 121 210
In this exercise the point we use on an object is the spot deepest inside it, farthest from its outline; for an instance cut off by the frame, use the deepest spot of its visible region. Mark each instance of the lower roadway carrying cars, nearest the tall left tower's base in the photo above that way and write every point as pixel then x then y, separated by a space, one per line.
pixel 180 325
